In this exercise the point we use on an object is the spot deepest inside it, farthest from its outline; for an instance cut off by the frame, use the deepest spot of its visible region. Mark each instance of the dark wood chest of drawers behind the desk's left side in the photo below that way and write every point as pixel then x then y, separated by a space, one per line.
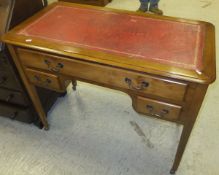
pixel 14 100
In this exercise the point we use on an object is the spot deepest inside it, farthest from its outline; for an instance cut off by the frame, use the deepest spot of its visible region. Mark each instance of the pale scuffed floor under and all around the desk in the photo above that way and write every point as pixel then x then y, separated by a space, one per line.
pixel 95 131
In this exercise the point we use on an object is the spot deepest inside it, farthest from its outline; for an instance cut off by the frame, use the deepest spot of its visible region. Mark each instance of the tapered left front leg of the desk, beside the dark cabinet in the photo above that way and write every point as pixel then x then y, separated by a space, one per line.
pixel 30 88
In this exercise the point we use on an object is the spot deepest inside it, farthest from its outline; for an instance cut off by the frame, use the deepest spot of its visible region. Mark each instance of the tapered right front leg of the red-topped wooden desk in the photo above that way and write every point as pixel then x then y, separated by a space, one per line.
pixel 189 122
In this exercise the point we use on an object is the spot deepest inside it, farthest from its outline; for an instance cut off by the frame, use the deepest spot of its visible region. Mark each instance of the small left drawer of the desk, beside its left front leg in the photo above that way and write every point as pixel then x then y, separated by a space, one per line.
pixel 44 79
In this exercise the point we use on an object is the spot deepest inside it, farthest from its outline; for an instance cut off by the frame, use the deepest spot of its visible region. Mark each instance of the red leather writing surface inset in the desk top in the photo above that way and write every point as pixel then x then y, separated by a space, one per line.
pixel 168 42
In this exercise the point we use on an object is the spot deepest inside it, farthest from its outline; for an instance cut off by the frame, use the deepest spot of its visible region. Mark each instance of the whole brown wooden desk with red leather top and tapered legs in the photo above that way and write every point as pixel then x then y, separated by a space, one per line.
pixel 165 64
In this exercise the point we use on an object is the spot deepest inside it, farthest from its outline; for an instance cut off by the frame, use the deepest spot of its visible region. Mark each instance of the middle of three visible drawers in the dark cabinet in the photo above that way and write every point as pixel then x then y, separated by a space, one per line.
pixel 13 97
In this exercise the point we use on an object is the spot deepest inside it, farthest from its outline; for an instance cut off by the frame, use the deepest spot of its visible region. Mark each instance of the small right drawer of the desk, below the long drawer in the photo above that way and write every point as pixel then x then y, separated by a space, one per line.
pixel 157 108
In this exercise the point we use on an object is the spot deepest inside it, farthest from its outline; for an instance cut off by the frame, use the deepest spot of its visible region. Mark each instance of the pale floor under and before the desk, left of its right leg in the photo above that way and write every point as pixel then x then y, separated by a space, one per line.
pixel 94 131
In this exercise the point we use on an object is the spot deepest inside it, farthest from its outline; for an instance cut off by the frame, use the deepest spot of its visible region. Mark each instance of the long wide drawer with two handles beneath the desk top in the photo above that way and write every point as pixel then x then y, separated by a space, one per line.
pixel 116 77
